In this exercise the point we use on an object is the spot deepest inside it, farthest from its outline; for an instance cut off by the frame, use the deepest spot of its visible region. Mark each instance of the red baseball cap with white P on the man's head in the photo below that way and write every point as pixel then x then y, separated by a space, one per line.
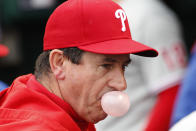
pixel 98 26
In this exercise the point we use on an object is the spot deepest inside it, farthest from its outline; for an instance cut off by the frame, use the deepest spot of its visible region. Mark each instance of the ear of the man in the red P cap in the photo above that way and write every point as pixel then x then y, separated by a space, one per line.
pixel 56 60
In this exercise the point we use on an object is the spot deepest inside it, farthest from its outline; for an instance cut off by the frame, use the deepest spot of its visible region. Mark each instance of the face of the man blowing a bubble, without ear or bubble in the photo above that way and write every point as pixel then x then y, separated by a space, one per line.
pixel 87 82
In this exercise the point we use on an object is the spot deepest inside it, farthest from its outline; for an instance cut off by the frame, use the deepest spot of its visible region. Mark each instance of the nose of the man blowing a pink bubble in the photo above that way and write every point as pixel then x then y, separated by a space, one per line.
pixel 118 81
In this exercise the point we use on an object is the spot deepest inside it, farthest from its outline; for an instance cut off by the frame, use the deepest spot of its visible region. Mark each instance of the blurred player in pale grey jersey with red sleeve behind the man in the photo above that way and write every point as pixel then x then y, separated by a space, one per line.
pixel 152 84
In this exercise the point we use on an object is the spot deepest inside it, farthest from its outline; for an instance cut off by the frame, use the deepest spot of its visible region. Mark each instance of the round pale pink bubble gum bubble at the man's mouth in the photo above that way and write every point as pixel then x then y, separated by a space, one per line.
pixel 115 103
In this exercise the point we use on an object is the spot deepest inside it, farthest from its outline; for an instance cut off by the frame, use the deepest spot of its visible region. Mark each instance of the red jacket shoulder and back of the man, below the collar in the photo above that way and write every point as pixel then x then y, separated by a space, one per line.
pixel 22 107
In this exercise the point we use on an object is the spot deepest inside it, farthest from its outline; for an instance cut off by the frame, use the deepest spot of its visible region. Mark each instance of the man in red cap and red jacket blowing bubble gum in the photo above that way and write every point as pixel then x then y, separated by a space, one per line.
pixel 86 49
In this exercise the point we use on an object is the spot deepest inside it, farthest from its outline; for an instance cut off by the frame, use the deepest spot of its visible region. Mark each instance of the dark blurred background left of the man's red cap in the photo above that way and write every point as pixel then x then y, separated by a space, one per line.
pixel 23 23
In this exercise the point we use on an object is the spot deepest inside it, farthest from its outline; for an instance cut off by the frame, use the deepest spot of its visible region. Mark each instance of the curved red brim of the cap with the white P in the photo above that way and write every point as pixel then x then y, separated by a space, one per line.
pixel 120 46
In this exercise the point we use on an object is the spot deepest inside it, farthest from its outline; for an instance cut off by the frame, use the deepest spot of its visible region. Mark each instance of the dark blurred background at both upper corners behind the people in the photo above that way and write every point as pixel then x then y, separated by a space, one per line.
pixel 22 24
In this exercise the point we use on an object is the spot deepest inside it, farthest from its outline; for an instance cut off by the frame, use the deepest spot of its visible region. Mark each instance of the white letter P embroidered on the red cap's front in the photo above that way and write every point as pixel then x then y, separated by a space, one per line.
pixel 121 14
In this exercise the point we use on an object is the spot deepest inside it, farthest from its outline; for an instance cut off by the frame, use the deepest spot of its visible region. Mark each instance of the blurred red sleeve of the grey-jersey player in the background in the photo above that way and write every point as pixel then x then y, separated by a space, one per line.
pixel 160 116
